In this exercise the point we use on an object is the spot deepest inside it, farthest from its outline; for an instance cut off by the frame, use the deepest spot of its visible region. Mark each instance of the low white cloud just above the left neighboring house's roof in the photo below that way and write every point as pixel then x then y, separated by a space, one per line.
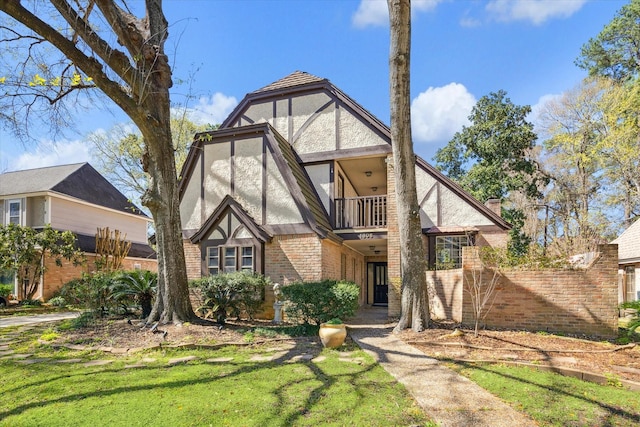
pixel 48 153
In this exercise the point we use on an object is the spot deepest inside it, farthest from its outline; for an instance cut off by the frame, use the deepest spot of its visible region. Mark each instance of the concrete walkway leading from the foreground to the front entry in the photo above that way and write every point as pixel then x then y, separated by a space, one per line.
pixel 447 397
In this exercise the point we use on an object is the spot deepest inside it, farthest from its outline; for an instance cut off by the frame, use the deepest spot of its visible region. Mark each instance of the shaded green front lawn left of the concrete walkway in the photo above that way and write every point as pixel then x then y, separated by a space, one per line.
pixel 240 392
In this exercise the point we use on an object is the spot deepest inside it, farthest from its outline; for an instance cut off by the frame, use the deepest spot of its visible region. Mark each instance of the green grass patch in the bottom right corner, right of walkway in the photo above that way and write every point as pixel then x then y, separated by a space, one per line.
pixel 555 400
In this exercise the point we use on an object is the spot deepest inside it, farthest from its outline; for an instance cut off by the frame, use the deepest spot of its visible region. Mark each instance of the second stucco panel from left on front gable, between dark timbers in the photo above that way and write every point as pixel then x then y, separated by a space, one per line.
pixel 217 178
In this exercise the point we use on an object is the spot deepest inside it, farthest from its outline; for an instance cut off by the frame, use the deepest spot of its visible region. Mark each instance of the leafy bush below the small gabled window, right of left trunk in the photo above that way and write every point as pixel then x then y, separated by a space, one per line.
pixel 231 294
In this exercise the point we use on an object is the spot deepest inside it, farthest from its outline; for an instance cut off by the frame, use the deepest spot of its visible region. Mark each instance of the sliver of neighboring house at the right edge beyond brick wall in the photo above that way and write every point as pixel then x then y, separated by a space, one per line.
pixel 629 263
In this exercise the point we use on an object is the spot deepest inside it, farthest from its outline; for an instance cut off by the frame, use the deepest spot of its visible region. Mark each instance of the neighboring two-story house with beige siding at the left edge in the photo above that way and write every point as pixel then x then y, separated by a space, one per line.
pixel 78 199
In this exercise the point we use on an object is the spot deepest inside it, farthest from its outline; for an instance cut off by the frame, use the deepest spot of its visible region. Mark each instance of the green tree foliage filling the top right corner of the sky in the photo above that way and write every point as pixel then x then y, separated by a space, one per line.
pixel 615 52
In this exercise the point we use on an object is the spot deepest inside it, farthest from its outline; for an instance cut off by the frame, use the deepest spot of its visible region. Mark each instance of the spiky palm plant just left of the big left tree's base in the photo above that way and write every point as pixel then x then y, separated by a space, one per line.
pixel 139 286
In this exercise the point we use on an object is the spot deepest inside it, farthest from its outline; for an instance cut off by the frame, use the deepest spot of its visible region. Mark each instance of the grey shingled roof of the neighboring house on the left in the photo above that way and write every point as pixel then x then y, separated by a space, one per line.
pixel 78 180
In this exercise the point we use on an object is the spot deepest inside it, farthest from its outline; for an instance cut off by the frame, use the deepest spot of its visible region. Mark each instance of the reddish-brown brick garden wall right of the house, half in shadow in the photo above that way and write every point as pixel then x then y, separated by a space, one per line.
pixel 580 301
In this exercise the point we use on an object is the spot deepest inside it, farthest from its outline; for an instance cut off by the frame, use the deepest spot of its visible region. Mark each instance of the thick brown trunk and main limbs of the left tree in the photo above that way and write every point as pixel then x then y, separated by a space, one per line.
pixel 138 81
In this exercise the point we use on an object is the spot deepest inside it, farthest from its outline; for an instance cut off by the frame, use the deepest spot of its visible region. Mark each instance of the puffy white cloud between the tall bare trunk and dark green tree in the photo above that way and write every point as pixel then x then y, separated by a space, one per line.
pixel 438 113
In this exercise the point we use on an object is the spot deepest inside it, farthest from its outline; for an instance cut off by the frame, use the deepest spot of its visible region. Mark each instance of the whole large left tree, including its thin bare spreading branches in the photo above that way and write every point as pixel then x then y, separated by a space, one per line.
pixel 103 45
